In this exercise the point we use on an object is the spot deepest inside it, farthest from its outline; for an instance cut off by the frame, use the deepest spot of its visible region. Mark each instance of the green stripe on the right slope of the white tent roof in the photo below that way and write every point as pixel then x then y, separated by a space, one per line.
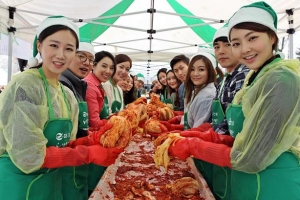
pixel 205 32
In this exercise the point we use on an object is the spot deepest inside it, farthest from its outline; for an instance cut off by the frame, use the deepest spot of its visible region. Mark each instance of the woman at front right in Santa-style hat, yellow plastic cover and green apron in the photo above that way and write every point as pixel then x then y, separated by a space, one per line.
pixel 264 116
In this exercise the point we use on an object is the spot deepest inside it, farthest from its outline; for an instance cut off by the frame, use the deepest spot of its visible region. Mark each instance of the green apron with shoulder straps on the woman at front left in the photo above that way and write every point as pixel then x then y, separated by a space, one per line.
pixel 44 183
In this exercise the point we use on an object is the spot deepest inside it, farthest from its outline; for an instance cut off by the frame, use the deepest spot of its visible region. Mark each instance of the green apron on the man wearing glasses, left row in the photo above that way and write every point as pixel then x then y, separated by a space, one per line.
pixel 75 178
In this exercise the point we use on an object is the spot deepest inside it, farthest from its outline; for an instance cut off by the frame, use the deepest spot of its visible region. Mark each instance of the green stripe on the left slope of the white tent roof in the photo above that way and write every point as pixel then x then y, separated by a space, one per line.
pixel 93 31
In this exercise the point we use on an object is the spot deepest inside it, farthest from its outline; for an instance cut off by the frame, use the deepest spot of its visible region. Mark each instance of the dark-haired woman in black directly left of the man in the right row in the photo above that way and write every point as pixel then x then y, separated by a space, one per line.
pixel 173 84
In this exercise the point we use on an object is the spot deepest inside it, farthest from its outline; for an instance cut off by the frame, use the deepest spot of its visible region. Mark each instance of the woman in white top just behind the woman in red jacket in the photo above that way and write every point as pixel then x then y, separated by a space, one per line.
pixel 113 91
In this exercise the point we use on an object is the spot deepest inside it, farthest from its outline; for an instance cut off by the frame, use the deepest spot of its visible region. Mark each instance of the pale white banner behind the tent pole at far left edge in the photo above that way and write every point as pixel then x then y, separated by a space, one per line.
pixel 21 48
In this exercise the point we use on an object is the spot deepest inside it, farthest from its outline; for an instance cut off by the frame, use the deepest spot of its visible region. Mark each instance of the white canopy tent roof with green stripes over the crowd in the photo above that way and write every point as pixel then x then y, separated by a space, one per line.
pixel 150 32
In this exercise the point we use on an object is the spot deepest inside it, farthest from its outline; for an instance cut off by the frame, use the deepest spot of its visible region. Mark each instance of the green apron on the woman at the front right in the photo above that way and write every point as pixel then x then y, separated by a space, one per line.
pixel 265 184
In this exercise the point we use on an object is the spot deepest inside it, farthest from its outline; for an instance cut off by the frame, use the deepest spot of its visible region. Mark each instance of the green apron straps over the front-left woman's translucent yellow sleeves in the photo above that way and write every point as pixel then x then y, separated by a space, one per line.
pixel 51 114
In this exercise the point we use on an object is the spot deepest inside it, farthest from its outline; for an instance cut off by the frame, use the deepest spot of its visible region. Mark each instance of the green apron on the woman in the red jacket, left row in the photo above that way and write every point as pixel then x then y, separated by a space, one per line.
pixel 96 171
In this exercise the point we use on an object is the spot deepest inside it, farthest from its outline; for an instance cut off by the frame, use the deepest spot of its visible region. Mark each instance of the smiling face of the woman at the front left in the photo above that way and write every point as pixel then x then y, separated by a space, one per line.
pixel 57 51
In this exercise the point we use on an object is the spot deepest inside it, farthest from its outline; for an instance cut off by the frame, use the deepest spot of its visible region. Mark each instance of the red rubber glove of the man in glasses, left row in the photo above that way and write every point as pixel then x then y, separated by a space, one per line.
pixel 92 139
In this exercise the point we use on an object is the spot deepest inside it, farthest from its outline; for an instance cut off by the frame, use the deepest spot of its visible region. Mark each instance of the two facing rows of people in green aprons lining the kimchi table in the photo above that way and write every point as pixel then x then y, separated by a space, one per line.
pixel 241 127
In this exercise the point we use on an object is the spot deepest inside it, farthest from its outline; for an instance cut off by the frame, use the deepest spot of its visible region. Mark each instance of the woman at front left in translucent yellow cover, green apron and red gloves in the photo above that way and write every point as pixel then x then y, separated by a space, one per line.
pixel 39 121
